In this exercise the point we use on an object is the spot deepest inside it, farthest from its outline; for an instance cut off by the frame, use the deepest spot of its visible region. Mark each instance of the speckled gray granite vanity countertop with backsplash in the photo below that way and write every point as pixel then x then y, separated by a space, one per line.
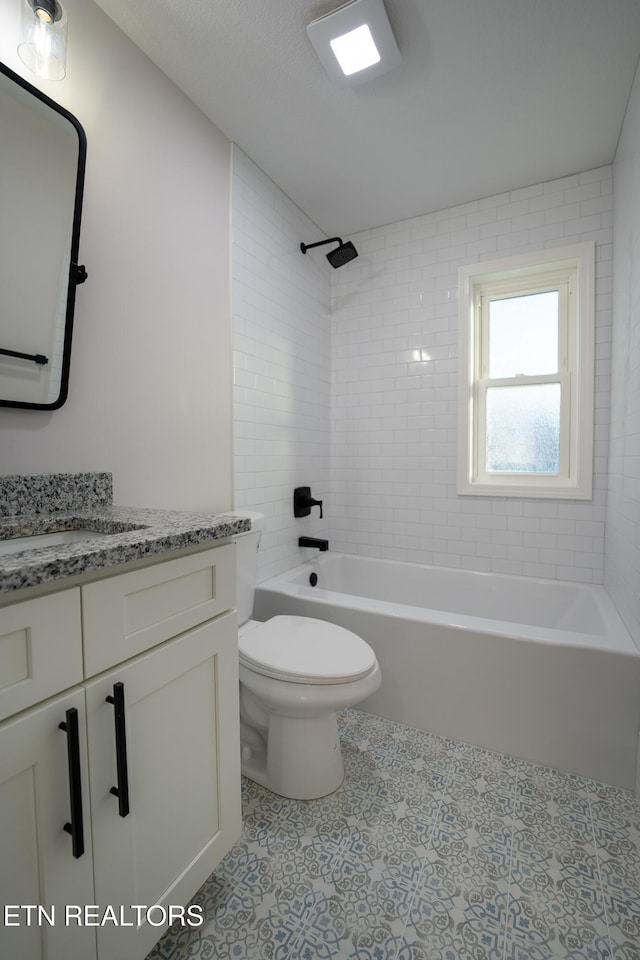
pixel 132 534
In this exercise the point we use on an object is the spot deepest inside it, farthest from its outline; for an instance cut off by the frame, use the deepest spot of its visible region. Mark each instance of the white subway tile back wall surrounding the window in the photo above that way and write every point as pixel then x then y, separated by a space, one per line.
pixel 395 419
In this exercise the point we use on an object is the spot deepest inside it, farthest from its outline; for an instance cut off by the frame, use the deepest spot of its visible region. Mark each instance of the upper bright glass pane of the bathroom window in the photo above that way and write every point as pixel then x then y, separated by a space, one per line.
pixel 523 335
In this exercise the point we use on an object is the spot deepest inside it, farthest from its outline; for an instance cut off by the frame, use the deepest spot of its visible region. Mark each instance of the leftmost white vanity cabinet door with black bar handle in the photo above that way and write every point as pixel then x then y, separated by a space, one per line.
pixel 39 874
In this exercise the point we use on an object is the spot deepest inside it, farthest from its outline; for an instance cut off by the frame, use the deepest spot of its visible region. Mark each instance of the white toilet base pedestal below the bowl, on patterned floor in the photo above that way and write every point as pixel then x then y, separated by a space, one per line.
pixel 301 758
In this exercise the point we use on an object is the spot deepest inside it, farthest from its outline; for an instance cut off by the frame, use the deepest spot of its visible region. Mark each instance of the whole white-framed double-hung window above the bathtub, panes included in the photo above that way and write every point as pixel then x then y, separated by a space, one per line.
pixel 526 375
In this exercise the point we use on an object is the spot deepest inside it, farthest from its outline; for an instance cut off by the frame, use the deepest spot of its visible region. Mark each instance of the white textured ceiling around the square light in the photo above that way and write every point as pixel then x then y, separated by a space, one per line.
pixel 491 95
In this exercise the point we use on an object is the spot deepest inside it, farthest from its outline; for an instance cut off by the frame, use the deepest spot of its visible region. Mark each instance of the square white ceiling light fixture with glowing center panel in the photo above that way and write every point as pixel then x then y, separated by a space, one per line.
pixel 355 42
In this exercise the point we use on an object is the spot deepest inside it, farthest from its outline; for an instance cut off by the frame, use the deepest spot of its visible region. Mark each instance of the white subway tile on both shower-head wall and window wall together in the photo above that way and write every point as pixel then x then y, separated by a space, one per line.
pixel 346 380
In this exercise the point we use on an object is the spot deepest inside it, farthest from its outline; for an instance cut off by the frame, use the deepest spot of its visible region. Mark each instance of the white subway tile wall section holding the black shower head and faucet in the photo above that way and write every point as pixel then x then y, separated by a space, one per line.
pixel 282 327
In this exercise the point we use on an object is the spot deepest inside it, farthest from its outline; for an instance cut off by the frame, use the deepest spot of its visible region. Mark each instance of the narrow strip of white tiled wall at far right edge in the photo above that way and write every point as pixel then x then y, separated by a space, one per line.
pixel 622 547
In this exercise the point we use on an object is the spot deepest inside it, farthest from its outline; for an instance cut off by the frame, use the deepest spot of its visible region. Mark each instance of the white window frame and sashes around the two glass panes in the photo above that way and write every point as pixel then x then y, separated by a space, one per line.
pixel 572 271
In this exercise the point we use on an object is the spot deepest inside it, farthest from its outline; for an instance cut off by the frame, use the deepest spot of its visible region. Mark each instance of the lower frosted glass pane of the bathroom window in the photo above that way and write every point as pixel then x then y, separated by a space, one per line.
pixel 523 429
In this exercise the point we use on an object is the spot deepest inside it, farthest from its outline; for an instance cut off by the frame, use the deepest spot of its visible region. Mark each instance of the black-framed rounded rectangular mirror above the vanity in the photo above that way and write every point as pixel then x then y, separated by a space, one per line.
pixel 42 161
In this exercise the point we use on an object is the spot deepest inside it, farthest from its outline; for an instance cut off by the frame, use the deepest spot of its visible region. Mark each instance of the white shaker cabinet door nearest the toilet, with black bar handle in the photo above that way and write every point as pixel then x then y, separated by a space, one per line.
pixel 183 772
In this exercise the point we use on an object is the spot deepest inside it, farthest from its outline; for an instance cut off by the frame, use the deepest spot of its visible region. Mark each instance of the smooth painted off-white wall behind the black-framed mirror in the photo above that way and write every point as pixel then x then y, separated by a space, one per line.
pixel 150 384
